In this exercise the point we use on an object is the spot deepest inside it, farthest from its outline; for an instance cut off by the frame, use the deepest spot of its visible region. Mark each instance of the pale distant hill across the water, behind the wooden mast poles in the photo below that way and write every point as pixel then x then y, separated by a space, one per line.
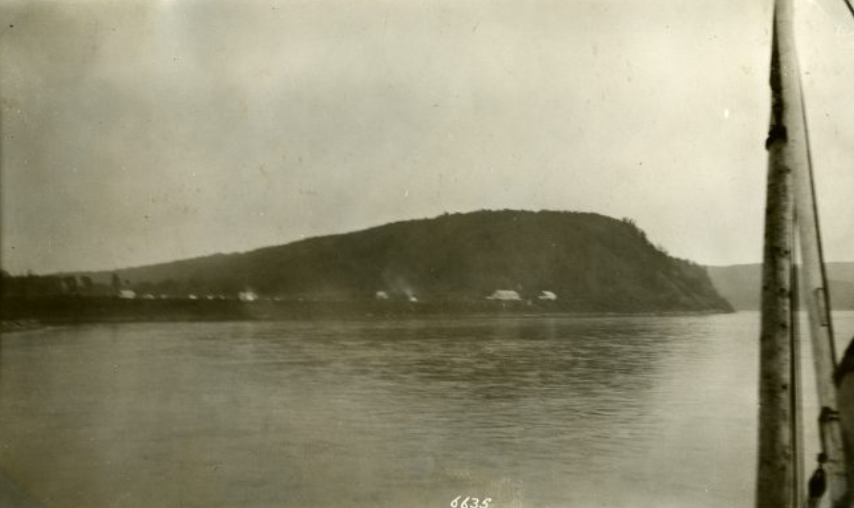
pixel 741 285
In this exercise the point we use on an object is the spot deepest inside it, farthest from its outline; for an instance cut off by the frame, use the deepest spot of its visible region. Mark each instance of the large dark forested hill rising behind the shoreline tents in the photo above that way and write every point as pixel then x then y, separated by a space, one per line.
pixel 589 262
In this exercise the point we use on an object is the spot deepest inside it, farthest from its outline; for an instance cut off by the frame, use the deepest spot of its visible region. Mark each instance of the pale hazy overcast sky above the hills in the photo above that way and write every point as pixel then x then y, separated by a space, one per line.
pixel 139 132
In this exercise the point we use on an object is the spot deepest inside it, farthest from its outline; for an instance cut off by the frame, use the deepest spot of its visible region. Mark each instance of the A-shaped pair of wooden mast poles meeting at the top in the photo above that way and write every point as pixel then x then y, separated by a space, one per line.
pixel 791 195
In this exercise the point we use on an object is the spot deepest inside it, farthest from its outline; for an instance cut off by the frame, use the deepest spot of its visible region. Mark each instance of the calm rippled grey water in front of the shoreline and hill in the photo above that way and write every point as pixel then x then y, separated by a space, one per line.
pixel 531 412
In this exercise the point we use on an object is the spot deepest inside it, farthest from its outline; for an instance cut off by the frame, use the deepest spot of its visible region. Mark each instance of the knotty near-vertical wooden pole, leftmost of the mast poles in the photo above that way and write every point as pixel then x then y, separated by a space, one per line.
pixel 776 458
